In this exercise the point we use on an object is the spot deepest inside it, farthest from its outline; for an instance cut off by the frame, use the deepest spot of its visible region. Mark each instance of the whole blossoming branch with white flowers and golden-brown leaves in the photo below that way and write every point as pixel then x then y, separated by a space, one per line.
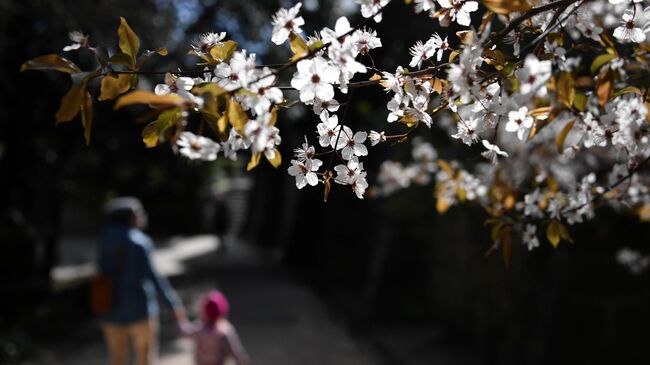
pixel 555 93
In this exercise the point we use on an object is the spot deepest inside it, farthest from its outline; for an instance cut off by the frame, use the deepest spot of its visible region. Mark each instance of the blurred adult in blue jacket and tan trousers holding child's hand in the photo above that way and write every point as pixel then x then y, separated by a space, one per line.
pixel 125 256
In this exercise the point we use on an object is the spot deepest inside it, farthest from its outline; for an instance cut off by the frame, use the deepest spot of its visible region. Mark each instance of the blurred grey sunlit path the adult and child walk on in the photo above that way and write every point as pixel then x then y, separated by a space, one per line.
pixel 279 321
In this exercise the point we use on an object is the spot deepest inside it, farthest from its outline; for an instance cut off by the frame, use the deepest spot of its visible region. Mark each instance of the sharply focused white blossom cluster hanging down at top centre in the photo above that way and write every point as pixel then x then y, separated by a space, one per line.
pixel 316 79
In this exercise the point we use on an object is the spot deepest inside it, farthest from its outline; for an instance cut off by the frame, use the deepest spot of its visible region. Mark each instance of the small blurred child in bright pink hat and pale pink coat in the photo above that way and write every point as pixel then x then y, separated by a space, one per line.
pixel 214 337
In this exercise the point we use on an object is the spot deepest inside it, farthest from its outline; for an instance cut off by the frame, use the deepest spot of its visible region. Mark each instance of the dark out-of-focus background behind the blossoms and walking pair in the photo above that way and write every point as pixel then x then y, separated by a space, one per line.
pixel 412 285
